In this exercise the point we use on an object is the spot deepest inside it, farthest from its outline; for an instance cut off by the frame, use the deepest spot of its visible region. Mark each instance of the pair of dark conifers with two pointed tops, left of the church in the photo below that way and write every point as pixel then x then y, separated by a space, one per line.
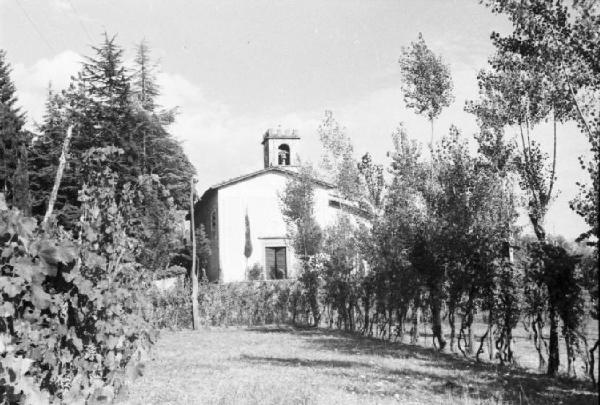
pixel 108 107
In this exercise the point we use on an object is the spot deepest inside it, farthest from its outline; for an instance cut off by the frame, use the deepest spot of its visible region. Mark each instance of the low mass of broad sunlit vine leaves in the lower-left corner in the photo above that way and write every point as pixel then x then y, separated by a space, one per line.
pixel 62 336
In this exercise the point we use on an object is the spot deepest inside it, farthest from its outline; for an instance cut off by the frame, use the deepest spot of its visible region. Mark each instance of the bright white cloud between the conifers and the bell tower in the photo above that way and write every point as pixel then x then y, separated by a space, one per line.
pixel 219 143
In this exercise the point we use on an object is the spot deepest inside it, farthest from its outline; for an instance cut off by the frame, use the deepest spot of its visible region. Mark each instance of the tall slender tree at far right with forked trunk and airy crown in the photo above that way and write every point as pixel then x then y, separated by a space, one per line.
pixel 531 81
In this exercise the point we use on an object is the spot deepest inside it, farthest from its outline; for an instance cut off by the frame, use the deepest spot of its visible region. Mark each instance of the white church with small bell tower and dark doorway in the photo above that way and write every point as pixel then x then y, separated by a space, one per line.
pixel 223 209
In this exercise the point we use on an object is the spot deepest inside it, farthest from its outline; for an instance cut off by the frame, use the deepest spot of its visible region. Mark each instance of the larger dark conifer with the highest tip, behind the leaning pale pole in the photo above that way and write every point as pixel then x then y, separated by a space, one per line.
pixel 97 103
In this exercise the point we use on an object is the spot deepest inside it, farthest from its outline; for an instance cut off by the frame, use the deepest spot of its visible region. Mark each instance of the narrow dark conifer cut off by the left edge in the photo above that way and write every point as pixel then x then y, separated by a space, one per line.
pixel 14 181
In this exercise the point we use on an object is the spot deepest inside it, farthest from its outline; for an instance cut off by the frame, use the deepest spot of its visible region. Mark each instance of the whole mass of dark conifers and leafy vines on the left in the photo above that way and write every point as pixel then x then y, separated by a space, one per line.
pixel 90 215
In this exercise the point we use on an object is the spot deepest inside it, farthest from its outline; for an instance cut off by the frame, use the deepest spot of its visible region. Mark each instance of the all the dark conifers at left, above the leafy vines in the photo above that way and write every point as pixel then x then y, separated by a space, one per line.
pixel 107 105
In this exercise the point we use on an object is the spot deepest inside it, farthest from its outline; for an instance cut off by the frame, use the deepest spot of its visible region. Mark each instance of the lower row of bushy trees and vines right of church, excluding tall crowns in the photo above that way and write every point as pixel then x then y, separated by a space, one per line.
pixel 442 246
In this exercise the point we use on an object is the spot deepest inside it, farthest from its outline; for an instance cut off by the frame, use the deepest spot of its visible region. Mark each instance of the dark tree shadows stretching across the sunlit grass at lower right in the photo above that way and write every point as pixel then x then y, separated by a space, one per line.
pixel 459 375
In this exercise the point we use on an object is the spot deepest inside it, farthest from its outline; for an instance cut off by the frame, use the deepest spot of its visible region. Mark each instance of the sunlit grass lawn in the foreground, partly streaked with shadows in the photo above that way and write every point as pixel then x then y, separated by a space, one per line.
pixel 283 365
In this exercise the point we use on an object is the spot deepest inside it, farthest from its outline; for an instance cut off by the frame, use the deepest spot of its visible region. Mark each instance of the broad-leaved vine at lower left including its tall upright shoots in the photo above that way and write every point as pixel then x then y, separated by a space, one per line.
pixel 73 319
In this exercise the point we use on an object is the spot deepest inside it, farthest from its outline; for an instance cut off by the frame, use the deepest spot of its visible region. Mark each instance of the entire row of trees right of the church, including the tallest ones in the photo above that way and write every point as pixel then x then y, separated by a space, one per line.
pixel 442 240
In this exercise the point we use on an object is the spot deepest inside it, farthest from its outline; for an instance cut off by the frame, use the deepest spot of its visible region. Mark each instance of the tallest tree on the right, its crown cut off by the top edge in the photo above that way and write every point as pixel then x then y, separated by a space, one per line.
pixel 546 69
